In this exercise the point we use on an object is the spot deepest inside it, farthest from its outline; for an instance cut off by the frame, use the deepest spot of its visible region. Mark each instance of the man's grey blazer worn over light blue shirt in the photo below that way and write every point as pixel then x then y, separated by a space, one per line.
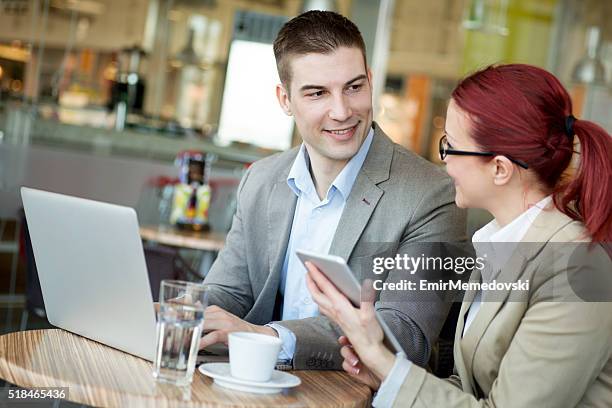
pixel 398 199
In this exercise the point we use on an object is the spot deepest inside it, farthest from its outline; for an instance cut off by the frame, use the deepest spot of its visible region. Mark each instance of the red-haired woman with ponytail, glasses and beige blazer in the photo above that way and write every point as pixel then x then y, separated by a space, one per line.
pixel 509 140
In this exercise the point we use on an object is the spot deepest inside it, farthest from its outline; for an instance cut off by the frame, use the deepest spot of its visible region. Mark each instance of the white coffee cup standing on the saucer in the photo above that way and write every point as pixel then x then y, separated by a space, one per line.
pixel 253 356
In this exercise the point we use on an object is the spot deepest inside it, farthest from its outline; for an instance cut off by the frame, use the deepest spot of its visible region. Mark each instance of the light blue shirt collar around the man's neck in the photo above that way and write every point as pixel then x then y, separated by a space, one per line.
pixel 300 181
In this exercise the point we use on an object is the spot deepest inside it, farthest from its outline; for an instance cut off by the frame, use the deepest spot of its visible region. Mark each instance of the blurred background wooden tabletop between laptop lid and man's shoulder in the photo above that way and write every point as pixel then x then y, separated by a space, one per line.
pixel 205 241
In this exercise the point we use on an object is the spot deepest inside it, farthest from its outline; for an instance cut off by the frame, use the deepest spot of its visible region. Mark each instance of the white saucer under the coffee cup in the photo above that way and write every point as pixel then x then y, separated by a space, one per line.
pixel 220 372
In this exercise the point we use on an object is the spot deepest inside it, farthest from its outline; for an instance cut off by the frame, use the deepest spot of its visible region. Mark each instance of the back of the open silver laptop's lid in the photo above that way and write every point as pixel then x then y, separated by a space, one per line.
pixel 92 270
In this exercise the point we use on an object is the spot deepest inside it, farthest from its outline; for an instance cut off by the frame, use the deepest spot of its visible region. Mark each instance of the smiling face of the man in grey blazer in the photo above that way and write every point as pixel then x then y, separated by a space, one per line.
pixel 331 101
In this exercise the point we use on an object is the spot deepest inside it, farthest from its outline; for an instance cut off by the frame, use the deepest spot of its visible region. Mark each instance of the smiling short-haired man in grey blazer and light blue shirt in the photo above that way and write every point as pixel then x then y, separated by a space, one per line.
pixel 345 190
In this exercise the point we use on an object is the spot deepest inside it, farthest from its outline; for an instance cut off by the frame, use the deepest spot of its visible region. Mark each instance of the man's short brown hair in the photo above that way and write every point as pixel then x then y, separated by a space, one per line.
pixel 316 31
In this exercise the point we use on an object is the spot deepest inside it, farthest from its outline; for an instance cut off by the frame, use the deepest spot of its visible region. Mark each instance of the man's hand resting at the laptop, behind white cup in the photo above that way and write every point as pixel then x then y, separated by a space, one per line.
pixel 218 324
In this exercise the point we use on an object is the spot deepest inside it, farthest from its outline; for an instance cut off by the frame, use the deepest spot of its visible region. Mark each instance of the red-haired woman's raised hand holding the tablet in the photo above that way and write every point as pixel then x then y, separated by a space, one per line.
pixel 358 324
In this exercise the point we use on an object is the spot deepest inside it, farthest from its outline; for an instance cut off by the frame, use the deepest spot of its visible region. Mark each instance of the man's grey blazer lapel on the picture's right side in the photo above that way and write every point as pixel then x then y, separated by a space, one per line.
pixel 364 195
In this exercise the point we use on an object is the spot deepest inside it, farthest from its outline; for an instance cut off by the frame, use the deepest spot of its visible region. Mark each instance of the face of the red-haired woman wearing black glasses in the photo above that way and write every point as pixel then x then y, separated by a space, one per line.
pixel 472 175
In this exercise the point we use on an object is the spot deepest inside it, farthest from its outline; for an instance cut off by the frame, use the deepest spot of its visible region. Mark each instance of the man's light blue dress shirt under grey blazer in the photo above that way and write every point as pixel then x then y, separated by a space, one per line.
pixel 313 229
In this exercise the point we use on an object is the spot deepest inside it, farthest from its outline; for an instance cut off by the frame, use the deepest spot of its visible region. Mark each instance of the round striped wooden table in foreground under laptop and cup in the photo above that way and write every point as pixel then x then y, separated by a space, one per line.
pixel 99 375
